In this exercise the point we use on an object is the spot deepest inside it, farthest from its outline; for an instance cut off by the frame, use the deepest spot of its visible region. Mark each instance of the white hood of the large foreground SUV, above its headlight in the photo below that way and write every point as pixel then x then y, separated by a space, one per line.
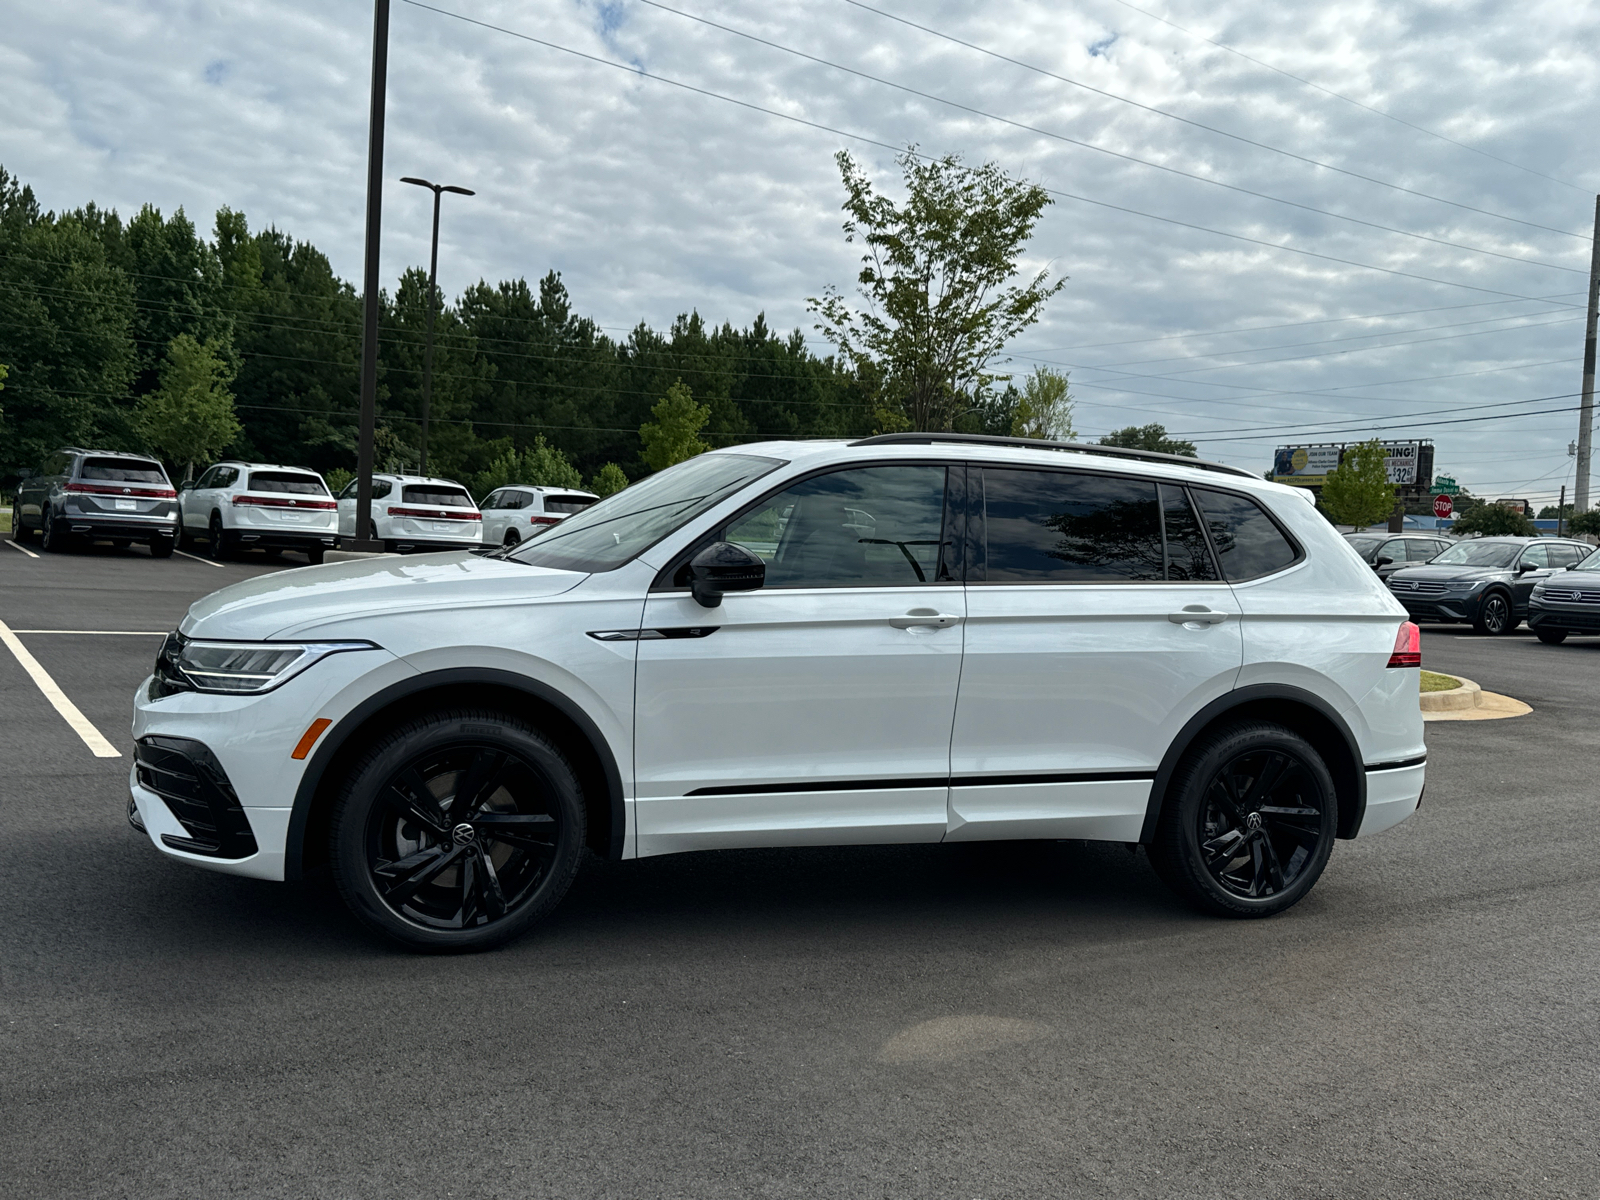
pixel 287 604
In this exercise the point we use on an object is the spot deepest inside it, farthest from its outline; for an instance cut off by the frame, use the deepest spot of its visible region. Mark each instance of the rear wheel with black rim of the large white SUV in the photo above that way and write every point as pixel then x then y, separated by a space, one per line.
pixel 1228 852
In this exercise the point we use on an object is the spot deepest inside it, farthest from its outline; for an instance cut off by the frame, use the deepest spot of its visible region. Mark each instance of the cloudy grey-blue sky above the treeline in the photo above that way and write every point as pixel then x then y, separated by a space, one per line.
pixel 1281 222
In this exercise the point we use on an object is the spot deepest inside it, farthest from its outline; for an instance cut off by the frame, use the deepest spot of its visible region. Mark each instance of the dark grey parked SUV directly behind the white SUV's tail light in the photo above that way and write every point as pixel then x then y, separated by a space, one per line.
pixel 1486 582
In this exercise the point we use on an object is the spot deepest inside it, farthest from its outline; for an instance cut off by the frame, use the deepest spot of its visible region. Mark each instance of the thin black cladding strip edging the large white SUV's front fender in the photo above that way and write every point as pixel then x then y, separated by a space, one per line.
pixel 334 742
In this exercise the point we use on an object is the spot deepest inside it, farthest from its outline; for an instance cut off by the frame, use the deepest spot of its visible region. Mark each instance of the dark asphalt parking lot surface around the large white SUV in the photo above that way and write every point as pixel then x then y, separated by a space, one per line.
pixel 922 1022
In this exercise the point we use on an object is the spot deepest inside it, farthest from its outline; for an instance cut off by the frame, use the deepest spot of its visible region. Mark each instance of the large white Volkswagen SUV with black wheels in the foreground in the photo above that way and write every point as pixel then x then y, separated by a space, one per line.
pixel 903 639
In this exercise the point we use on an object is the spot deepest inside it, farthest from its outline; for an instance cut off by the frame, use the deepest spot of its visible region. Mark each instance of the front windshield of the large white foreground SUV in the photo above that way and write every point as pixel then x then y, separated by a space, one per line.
pixel 615 530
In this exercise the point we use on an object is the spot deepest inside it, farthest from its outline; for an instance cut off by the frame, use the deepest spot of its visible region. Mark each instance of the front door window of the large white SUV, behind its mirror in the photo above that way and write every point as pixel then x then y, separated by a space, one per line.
pixel 871 527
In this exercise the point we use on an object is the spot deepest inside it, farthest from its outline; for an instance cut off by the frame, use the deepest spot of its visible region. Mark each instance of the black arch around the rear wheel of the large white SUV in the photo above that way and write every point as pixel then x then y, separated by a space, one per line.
pixel 1302 711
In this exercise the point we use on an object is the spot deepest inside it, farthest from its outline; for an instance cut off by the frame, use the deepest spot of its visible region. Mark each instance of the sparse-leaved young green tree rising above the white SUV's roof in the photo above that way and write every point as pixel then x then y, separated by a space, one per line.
pixel 937 282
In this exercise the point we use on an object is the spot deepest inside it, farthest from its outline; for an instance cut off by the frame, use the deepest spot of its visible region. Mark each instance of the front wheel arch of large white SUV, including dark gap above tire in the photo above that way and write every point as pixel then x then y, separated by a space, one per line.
pixel 473 687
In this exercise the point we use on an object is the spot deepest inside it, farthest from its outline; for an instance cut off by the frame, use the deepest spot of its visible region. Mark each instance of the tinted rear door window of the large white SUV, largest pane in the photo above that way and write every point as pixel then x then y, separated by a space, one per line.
pixel 1050 526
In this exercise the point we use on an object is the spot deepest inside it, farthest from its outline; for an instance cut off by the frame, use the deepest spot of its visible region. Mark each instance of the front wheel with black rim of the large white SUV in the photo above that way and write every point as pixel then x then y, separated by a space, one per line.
pixel 446 878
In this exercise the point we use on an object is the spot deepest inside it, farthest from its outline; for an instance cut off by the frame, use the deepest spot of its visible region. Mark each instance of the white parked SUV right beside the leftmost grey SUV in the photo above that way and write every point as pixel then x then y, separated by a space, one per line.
pixel 258 506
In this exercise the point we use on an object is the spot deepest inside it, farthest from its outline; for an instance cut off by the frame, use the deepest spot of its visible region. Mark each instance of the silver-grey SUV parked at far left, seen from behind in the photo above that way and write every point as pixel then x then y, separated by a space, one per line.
pixel 87 495
